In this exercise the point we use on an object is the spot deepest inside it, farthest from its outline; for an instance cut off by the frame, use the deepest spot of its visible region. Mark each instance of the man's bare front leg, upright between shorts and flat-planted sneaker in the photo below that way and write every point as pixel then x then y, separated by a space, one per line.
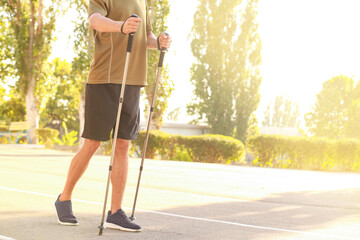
pixel 119 174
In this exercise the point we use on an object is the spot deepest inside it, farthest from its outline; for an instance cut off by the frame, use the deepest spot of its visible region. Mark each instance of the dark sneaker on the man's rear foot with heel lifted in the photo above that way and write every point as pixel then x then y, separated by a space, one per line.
pixel 64 213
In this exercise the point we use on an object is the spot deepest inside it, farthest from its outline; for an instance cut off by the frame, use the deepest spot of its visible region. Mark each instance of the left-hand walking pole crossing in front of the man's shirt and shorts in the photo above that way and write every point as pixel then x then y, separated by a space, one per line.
pixel 129 49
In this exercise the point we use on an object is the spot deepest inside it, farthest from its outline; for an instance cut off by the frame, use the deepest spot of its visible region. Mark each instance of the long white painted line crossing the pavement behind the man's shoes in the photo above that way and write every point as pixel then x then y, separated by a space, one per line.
pixel 192 218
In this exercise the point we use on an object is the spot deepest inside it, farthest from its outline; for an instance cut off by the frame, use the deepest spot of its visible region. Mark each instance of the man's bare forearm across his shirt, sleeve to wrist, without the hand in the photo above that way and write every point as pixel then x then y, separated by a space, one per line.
pixel 104 24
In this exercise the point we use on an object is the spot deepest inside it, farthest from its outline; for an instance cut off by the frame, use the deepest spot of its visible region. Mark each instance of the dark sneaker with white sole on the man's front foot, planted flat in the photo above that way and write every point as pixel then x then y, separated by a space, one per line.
pixel 120 221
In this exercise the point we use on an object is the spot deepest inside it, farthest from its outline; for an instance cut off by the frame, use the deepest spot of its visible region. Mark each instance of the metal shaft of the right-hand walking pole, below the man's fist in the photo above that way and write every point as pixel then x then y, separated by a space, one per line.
pixel 146 140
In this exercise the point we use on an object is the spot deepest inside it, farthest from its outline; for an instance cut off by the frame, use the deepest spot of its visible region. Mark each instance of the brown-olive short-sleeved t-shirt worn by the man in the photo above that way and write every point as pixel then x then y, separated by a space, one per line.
pixel 108 63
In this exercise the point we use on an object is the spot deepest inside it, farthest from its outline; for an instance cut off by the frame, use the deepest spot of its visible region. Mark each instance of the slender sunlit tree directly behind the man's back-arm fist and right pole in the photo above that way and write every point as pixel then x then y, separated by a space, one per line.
pixel 158 12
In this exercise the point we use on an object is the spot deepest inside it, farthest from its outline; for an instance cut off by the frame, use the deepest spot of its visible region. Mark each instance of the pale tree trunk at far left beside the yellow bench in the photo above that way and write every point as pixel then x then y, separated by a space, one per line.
pixel 31 109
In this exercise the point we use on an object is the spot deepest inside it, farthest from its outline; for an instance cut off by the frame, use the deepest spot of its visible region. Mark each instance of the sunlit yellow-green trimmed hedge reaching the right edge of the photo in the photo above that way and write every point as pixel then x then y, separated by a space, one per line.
pixel 305 153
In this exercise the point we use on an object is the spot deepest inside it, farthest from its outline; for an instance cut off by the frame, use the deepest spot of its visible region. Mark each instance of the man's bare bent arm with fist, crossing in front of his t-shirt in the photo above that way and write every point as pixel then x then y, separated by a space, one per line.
pixel 104 24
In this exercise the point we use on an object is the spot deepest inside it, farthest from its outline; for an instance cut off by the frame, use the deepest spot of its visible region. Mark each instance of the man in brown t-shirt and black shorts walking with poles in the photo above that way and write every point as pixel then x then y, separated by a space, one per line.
pixel 111 26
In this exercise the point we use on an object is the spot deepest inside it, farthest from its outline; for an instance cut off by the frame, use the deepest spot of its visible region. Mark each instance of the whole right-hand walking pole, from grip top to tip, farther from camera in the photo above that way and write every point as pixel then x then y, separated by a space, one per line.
pixel 161 60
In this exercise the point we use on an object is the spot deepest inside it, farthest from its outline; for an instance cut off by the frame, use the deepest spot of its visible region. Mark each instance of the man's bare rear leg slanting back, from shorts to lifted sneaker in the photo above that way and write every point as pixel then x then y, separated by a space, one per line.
pixel 78 166
